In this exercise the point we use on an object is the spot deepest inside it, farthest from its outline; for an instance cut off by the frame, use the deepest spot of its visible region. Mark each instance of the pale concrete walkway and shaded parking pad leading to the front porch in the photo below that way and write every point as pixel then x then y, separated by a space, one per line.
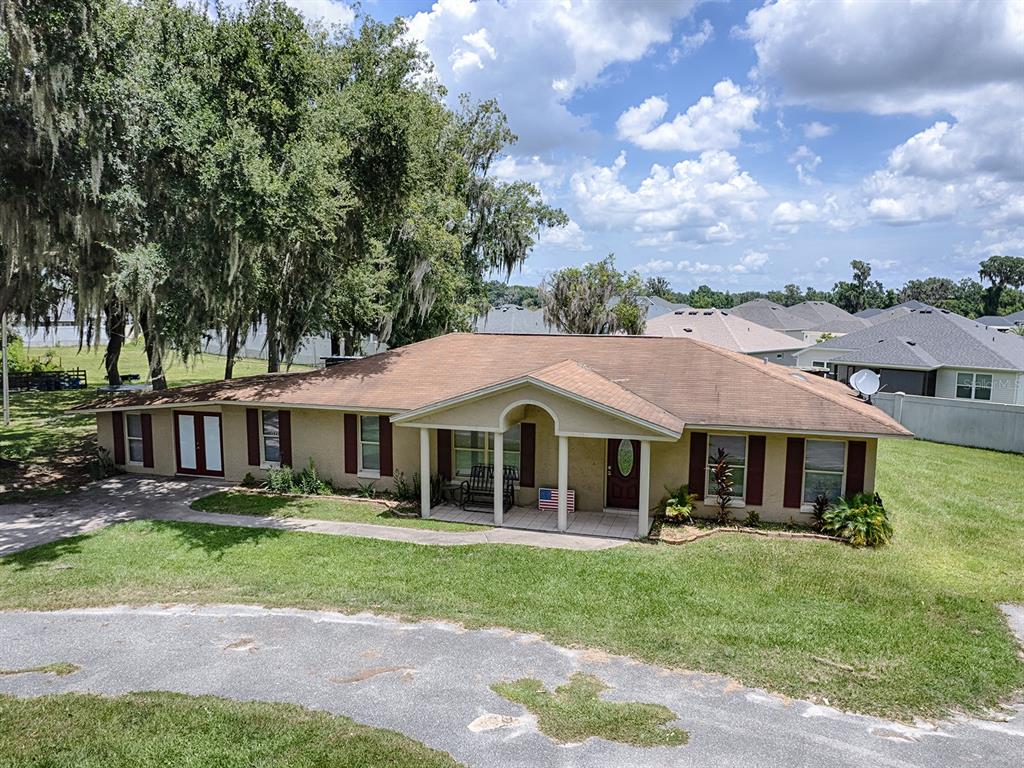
pixel 135 498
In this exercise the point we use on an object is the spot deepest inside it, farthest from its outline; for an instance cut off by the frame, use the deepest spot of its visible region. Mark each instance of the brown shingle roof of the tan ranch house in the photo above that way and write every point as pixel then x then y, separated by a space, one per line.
pixel 697 383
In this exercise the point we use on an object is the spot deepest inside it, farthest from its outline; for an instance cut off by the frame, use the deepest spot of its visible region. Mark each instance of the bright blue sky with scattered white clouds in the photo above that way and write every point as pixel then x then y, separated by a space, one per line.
pixel 750 145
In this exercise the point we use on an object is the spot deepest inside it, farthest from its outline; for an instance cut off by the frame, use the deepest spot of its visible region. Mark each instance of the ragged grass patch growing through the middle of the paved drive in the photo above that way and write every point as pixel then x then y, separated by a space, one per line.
pixel 576 712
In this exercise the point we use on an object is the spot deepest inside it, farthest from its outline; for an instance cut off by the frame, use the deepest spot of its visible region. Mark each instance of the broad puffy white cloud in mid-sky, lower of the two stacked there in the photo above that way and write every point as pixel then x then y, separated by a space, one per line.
pixel 696 201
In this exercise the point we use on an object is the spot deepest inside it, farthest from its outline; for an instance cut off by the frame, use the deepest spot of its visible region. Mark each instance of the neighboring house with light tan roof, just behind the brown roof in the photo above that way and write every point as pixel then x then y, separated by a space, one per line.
pixel 730 332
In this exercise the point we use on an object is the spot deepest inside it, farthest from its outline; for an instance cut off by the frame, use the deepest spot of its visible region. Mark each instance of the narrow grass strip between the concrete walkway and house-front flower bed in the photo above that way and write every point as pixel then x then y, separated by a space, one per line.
pixel 312 508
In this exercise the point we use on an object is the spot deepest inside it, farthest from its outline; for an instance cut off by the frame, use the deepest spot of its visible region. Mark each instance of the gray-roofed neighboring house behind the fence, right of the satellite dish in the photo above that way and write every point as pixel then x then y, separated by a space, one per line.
pixel 931 353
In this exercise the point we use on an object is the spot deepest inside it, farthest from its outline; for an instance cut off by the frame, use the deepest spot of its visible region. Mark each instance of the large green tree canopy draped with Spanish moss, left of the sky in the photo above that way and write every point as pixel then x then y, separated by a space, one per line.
pixel 183 175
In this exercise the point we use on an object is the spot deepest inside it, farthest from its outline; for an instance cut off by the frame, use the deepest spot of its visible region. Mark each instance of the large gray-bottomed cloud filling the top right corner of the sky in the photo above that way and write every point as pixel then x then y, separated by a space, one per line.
pixel 887 58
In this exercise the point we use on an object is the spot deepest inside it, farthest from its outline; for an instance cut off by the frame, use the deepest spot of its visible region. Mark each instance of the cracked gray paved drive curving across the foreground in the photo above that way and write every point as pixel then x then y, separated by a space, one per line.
pixel 432 681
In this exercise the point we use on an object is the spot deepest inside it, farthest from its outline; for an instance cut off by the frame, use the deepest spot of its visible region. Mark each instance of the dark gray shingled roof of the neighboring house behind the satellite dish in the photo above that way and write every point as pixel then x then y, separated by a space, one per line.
pixel 929 339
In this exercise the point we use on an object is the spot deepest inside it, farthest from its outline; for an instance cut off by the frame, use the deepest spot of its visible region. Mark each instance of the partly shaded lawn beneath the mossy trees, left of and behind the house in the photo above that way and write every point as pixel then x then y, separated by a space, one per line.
pixel 54 450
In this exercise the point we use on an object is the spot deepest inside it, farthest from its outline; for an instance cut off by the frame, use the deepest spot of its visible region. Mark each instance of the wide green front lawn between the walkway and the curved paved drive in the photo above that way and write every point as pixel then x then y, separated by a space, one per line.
pixel 910 629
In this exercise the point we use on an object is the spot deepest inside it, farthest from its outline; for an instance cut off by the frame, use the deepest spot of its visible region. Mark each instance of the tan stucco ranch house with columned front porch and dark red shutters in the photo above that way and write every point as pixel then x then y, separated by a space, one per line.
pixel 616 419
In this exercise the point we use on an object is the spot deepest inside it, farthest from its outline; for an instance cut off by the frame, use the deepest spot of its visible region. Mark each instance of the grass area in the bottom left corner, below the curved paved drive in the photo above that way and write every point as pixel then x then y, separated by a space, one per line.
pixel 152 731
